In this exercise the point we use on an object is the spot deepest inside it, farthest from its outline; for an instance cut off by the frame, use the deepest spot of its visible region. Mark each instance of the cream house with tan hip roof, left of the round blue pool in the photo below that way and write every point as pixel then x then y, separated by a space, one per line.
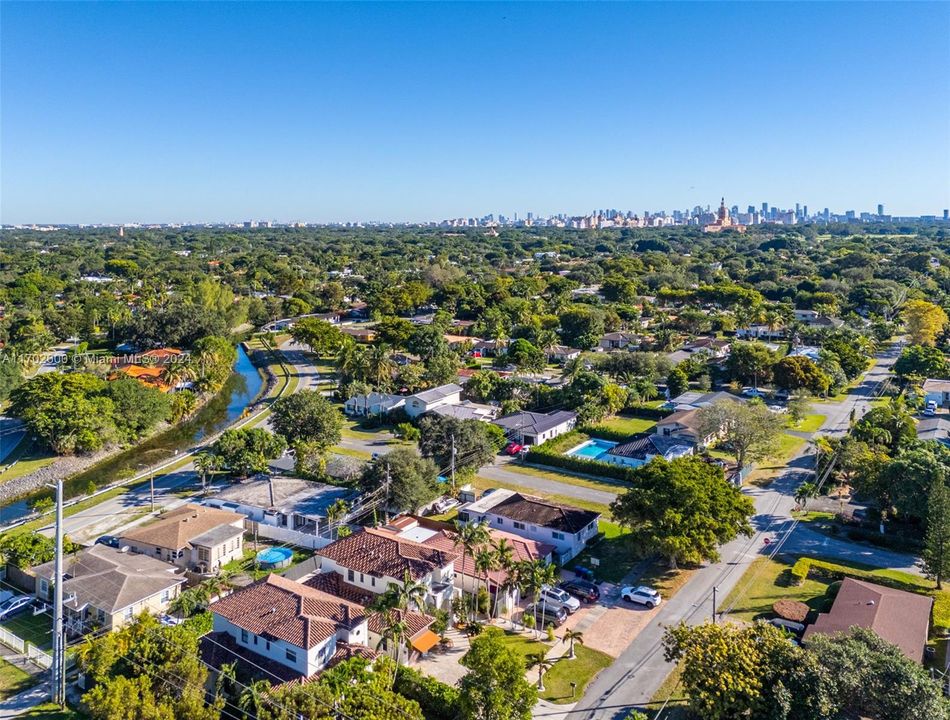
pixel 193 537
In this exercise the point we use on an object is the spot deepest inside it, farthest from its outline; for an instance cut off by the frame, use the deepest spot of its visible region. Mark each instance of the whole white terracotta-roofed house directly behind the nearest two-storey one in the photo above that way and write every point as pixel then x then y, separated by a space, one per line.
pixel 374 559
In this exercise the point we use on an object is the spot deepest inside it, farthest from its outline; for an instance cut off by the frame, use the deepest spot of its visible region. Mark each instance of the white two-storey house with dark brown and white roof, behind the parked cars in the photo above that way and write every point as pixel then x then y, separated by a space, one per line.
pixel 565 527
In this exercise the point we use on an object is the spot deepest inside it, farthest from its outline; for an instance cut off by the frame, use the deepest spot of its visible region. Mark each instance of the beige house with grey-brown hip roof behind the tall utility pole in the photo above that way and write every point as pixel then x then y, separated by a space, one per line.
pixel 104 588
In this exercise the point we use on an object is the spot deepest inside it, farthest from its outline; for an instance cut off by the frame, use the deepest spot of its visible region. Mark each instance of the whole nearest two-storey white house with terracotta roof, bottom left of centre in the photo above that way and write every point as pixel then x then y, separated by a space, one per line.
pixel 290 628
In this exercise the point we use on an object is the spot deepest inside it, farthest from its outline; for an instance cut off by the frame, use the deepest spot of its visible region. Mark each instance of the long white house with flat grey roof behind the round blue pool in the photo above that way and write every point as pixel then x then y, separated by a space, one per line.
pixel 283 508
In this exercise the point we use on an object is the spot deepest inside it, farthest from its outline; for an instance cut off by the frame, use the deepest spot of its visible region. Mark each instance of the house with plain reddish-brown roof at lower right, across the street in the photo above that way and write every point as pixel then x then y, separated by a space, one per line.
pixel 898 616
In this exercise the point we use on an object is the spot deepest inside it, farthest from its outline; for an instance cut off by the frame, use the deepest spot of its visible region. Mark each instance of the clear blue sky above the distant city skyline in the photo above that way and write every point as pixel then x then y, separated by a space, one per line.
pixel 170 112
